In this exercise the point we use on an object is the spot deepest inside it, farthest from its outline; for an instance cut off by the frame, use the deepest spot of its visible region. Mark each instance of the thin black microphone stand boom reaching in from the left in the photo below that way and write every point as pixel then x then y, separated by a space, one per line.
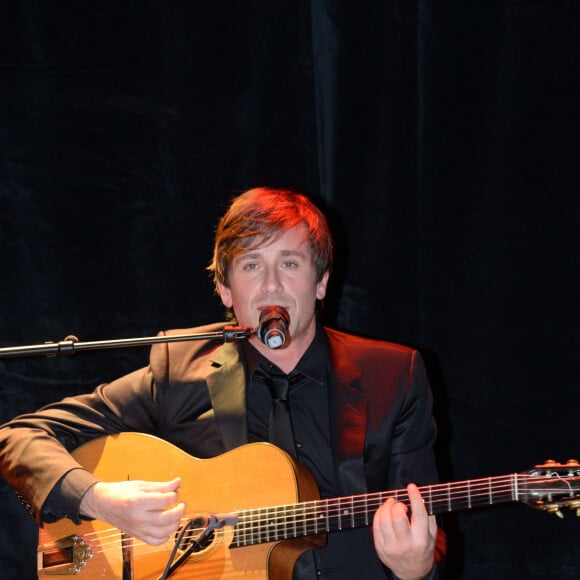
pixel 71 345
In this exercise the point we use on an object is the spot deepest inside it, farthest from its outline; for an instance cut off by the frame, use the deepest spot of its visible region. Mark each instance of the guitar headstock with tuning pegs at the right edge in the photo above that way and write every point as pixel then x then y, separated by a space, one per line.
pixel 552 486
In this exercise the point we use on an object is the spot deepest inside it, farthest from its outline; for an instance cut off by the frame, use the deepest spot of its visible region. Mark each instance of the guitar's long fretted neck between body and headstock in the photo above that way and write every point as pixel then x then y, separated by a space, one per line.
pixel 272 524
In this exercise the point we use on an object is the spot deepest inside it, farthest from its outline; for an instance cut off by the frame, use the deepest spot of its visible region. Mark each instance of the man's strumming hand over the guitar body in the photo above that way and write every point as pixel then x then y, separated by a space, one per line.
pixel 143 509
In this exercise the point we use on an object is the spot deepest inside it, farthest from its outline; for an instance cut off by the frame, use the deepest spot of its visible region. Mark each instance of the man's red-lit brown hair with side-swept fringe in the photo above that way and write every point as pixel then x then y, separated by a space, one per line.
pixel 259 216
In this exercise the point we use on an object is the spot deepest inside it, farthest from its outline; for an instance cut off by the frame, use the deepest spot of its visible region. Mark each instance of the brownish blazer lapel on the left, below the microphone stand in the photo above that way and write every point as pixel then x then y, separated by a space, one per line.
pixel 226 383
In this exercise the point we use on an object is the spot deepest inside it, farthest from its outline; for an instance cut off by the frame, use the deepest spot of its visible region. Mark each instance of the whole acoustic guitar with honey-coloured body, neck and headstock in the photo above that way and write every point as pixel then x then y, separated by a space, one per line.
pixel 252 511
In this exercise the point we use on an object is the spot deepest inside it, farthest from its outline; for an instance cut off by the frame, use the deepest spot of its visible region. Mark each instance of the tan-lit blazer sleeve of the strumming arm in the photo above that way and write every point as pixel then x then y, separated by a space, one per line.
pixel 34 448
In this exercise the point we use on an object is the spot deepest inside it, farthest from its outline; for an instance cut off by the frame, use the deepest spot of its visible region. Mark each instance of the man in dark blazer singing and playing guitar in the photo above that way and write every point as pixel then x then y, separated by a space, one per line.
pixel 360 409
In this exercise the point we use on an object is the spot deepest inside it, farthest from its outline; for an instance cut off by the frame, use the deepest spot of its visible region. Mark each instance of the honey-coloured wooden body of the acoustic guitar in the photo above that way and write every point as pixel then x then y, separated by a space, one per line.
pixel 252 476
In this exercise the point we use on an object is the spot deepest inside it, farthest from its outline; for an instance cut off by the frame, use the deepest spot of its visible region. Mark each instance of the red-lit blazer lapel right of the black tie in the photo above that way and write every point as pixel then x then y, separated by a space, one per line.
pixel 348 418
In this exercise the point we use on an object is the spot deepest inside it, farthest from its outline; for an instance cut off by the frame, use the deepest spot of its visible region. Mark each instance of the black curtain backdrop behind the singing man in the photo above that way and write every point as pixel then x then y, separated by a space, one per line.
pixel 442 138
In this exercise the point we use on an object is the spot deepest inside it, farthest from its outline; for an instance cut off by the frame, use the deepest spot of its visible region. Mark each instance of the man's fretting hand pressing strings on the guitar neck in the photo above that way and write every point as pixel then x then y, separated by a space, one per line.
pixel 405 544
